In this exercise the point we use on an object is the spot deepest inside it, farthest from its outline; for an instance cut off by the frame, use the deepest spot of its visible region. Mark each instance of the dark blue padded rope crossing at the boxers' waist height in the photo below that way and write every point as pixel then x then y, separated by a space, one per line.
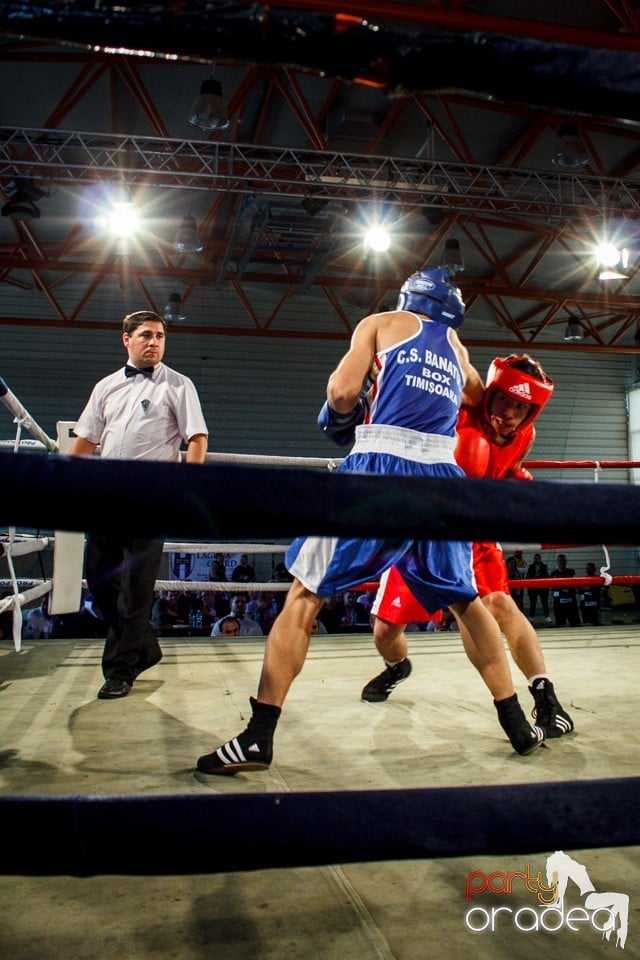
pixel 212 501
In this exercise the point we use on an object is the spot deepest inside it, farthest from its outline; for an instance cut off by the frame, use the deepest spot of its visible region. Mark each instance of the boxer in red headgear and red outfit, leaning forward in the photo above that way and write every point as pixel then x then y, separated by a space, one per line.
pixel 493 440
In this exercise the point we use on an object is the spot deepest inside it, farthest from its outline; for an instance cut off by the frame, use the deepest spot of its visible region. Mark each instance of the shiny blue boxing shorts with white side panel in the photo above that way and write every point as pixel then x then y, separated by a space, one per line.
pixel 438 572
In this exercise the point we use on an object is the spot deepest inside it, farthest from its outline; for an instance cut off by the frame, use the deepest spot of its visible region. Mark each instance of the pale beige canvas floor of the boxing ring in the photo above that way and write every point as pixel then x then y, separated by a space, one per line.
pixel 439 728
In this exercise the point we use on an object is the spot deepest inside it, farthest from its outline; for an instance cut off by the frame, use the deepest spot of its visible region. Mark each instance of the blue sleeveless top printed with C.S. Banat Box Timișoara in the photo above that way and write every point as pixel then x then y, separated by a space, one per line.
pixel 419 383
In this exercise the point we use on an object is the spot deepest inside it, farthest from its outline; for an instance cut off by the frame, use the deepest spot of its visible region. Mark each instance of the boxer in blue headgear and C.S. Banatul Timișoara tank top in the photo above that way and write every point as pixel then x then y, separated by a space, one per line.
pixel 398 391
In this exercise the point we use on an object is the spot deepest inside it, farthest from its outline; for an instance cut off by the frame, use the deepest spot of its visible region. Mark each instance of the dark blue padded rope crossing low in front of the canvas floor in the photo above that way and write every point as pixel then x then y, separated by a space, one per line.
pixel 81 836
